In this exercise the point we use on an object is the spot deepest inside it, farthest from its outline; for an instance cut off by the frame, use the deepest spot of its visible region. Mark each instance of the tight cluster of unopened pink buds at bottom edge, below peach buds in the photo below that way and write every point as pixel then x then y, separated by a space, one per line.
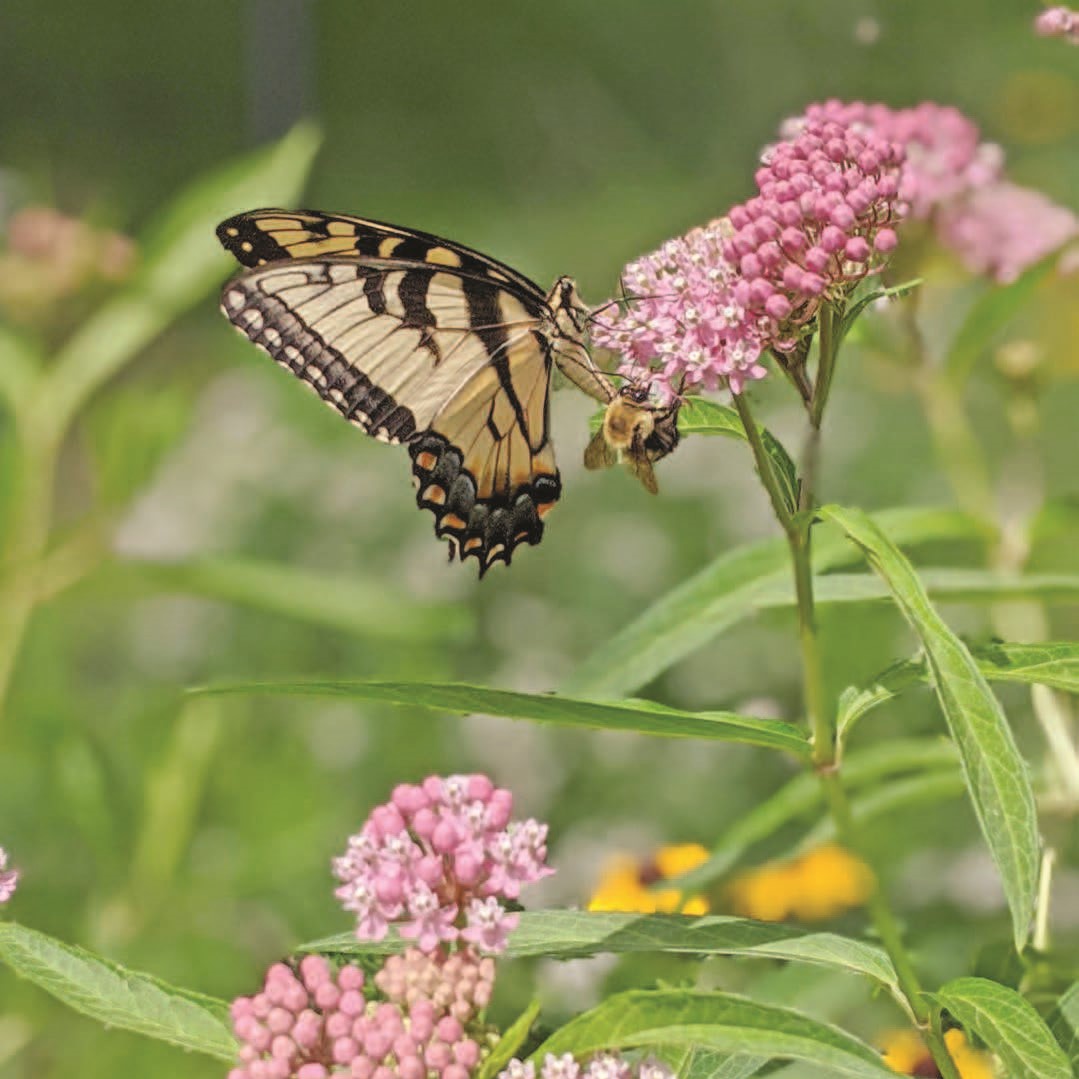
pixel 315 1025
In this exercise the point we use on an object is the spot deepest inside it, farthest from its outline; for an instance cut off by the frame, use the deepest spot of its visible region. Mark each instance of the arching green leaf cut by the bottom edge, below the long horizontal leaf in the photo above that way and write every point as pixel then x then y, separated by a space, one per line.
pixel 718 1021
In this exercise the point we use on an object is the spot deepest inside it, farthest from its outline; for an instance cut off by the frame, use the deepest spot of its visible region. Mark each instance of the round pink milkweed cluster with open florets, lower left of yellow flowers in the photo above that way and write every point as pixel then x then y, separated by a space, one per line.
pixel 438 861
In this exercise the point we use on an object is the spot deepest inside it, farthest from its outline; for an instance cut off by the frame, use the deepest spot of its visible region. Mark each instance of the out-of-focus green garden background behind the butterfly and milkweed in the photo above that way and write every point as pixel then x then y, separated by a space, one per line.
pixel 175 511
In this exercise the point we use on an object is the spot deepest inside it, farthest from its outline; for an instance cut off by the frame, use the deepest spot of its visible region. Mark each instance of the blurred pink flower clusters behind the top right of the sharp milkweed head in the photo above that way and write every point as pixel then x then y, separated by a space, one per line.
pixel 955 181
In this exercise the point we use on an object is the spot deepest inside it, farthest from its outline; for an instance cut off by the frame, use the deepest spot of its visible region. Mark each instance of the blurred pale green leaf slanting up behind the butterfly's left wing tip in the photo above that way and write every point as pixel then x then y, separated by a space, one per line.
pixel 183 264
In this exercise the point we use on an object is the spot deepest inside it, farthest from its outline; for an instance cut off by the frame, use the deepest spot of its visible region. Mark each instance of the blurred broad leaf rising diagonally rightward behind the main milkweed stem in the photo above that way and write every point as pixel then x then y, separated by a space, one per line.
pixel 727 592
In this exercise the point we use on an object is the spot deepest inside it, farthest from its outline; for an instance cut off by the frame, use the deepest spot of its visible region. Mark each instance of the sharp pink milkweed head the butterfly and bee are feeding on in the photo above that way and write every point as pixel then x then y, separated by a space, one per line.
pixel 713 303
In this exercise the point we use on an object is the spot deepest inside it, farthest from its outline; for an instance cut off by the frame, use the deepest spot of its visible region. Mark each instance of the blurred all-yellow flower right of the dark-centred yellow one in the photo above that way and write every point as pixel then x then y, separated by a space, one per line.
pixel 817 886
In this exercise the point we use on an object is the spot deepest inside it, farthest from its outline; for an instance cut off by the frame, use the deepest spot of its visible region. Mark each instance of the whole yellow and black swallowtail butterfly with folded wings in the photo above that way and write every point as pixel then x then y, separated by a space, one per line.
pixel 425 343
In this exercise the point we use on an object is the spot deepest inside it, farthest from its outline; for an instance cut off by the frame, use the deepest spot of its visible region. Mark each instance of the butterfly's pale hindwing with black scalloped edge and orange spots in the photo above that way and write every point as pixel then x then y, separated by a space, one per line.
pixel 453 364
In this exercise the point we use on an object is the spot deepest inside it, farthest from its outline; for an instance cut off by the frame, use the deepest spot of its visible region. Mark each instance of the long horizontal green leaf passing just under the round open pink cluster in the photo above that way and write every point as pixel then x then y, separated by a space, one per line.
pixel 569 935
